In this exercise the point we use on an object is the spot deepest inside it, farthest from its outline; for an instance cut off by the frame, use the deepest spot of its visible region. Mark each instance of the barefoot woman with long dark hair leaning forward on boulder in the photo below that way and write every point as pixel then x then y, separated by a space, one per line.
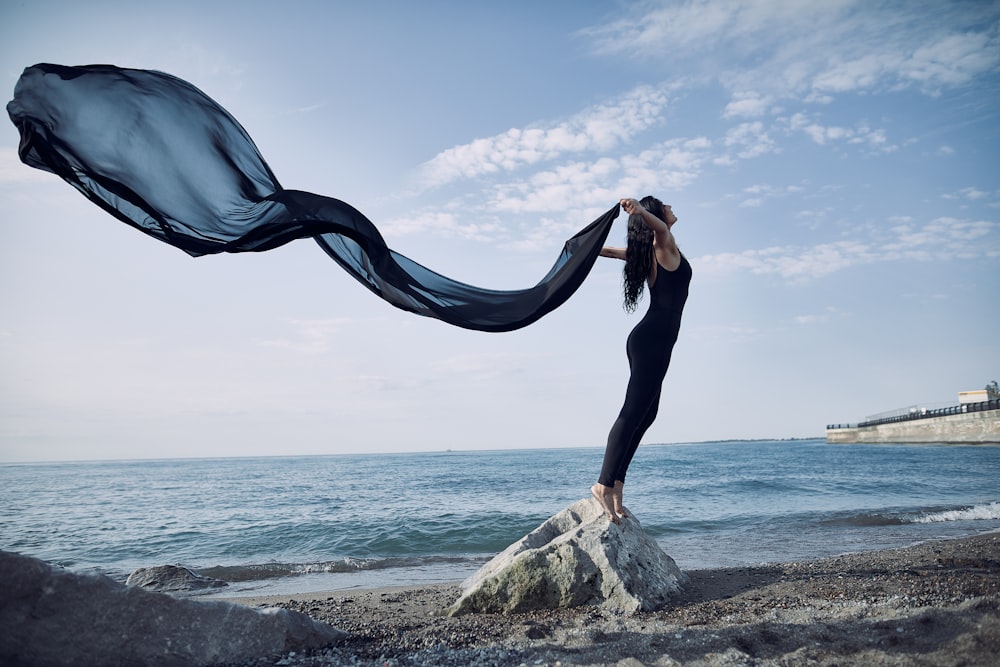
pixel 652 258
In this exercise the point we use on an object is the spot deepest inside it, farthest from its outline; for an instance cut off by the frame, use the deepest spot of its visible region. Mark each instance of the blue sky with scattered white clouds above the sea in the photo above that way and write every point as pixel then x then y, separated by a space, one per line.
pixel 833 165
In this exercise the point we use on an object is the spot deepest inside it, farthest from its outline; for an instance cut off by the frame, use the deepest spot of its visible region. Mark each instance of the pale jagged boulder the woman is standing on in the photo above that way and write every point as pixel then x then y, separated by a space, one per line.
pixel 575 558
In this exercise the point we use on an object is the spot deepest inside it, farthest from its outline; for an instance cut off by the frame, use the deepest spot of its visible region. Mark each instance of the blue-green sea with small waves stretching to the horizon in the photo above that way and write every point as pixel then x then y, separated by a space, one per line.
pixel 281 525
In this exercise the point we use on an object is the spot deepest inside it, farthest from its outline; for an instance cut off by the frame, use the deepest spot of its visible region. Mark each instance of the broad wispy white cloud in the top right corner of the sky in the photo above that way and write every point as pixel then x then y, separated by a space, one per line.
pixel 810 50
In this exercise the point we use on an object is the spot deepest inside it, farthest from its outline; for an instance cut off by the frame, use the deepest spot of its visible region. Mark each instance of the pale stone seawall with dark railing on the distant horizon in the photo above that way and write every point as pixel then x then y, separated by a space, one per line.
pixel 975 420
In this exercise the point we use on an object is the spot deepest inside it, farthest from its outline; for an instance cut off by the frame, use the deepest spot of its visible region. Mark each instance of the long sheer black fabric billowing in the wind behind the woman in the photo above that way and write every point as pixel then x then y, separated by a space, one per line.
pixel 160 155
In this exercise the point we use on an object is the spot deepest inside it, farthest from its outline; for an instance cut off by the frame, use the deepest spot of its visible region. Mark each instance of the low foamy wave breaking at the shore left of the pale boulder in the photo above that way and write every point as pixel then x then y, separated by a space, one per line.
pixel 258 572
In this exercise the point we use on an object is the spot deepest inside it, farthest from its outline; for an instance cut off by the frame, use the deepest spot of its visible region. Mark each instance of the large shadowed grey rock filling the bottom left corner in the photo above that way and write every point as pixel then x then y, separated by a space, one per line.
pixel 49 616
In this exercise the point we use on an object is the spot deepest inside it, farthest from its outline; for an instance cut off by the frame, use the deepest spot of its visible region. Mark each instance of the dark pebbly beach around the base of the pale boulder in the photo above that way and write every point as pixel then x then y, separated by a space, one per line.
pixel 936 603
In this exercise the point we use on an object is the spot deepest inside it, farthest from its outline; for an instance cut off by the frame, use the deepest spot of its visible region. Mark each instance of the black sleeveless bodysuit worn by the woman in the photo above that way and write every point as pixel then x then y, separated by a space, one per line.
pixel 649 347
